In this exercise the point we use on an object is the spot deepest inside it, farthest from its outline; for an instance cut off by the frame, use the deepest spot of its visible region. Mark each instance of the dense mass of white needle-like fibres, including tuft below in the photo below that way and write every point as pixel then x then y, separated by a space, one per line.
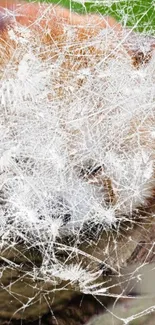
pixel 77 144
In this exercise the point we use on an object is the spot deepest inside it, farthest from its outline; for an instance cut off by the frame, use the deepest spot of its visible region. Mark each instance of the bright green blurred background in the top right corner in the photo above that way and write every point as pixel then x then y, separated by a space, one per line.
pixel 137 13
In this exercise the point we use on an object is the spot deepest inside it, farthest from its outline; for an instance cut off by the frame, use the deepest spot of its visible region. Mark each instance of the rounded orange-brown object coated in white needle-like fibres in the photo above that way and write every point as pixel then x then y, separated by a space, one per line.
pixel 77 116
